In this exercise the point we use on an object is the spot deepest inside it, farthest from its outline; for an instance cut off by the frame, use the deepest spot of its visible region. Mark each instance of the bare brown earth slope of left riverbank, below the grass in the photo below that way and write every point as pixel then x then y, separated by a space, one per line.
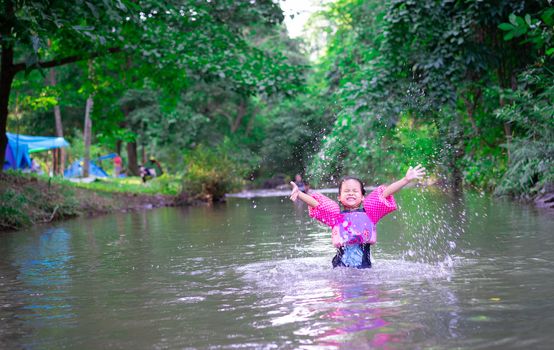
pixel 27 200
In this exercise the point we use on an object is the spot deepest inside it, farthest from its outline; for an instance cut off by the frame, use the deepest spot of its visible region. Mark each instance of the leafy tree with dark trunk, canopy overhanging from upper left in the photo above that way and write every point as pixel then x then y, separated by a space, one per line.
pixel 176 37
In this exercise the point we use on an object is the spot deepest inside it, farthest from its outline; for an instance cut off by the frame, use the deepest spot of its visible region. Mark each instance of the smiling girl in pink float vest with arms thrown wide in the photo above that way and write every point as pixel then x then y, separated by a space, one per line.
pixel 353 228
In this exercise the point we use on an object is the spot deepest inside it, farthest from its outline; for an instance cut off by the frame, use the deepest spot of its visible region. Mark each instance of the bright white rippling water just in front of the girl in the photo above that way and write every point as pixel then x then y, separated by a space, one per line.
pixel 307 291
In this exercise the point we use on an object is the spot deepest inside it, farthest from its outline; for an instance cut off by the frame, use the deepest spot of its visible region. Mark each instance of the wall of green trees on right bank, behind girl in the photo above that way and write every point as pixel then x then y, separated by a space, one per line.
pixel 418 82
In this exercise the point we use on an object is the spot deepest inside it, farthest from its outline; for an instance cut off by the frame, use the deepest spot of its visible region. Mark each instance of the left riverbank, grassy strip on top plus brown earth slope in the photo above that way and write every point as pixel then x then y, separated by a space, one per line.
pixel 28 199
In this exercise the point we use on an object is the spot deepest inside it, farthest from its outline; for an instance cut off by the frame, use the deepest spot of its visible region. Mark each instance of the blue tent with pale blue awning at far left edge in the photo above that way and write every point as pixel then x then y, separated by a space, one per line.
pixel 20 146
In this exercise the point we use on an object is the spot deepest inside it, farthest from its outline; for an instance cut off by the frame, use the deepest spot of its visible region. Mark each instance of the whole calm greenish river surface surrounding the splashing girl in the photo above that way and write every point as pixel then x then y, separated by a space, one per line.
pixel 449 272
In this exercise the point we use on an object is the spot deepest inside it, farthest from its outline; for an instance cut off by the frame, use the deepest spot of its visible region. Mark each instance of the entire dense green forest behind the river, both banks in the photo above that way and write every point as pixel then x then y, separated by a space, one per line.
pixel 221 95
